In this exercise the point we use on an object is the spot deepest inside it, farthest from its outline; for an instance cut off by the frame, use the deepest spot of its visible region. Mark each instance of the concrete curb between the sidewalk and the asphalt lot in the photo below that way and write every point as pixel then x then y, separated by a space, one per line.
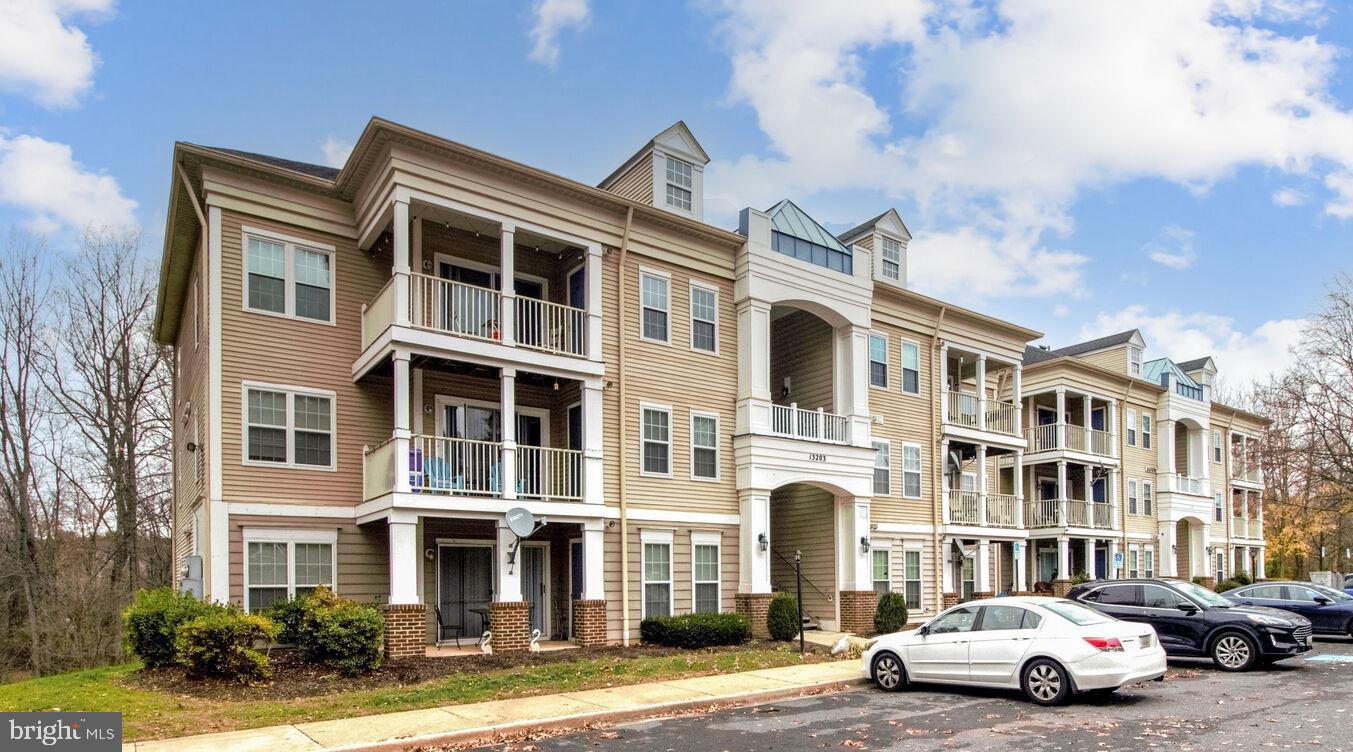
pixel 578 720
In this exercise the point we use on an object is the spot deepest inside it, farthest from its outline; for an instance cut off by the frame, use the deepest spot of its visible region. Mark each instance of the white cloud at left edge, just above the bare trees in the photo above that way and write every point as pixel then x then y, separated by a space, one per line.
pixel 44 179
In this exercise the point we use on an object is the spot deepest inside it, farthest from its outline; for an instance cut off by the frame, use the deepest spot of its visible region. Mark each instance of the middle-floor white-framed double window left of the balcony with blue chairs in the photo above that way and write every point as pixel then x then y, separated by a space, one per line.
pixel 288 427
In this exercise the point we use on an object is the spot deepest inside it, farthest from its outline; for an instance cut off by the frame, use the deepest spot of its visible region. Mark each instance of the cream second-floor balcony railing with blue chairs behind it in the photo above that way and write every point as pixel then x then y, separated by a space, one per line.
pixel 461 467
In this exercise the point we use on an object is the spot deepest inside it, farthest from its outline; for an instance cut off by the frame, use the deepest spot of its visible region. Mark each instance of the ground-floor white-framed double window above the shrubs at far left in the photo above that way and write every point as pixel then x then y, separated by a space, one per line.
pixel 283 565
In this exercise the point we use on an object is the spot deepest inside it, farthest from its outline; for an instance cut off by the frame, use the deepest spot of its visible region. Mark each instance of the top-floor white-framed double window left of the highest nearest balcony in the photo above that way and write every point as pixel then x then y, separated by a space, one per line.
pixel 289 278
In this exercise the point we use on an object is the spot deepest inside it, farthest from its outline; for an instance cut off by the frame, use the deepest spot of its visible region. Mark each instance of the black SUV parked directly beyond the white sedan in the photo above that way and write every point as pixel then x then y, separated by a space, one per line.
pixel 1194 621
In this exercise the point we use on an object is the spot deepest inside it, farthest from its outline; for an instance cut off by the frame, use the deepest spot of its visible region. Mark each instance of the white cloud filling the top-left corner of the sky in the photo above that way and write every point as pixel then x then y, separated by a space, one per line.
pixel 43 53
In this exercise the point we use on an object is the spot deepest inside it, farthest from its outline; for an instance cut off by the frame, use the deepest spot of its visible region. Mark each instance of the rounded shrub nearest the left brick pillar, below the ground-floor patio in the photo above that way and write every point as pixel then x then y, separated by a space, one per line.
pixel 342 634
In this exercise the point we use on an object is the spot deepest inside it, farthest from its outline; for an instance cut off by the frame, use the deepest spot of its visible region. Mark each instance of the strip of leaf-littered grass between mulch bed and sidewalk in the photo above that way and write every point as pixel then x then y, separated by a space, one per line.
pixel 158 715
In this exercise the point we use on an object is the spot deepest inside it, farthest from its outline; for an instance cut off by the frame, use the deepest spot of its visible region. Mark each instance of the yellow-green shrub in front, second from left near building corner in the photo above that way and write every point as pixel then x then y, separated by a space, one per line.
pixel 223 643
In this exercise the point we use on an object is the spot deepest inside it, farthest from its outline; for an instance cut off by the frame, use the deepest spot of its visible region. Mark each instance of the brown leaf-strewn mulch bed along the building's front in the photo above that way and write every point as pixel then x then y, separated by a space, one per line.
pixel 293 678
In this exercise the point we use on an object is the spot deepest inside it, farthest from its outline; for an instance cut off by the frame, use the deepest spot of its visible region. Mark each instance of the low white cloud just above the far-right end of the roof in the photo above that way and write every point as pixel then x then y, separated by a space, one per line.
pixel 1241 356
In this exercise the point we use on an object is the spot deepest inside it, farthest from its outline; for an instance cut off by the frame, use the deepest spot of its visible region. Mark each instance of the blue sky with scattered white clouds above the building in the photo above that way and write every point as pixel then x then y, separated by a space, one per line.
pixel 1079 168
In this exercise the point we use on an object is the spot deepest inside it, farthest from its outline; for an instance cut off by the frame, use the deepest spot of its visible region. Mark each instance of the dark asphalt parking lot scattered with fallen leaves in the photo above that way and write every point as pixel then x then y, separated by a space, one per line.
pixel 1301 704
